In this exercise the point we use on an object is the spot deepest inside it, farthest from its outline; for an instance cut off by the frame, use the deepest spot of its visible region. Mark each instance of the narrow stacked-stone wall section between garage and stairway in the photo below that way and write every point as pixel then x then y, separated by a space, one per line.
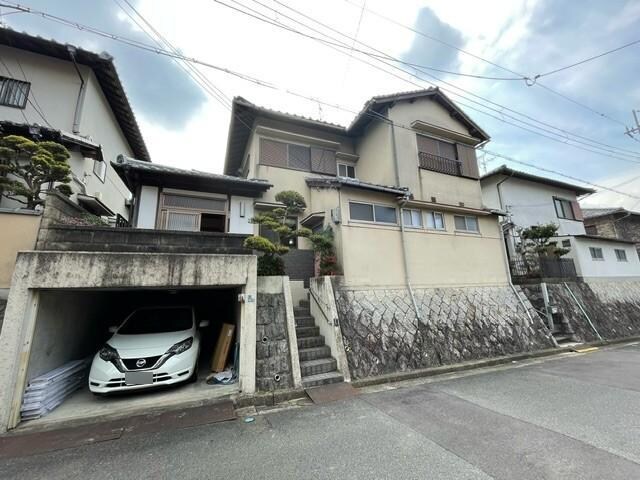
pixel 273 358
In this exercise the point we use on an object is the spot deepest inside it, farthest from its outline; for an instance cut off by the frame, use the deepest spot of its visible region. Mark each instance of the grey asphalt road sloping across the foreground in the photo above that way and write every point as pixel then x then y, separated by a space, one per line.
pixel 574 417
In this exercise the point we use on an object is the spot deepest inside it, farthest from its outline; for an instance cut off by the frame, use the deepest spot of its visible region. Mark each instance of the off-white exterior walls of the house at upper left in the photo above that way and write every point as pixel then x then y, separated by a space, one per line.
pixel 55 86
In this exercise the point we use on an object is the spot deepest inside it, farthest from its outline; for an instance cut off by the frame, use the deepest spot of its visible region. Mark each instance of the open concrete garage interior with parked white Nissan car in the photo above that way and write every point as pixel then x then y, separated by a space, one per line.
pixel 77 324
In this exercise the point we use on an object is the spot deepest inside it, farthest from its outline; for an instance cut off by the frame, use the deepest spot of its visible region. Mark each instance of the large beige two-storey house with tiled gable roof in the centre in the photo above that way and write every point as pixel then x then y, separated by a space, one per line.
pixel 399 187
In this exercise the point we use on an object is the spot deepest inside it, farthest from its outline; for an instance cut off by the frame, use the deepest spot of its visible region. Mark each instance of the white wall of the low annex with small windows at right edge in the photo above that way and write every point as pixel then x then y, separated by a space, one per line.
pixel 609 267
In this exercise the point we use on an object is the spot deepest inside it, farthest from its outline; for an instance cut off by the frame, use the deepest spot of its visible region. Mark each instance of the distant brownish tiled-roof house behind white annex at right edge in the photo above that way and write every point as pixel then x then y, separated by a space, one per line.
pixel 613 223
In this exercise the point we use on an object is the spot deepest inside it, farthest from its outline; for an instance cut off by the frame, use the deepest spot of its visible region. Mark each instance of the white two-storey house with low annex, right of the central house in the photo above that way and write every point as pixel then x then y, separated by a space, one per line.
pixel 530 200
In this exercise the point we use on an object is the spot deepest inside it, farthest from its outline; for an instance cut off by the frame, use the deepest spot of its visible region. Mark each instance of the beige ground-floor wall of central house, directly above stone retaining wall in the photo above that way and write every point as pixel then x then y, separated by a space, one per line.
pixel 371 254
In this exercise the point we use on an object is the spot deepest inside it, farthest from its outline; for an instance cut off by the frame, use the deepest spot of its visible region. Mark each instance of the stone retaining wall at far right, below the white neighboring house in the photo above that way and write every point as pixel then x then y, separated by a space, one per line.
pixel 612 306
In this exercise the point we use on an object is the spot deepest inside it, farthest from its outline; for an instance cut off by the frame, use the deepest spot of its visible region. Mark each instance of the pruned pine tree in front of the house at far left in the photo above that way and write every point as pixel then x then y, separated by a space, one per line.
pixel 28 168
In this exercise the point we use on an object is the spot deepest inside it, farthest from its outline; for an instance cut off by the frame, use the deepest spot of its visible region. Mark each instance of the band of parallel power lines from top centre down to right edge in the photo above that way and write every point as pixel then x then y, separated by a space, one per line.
pixel 565 133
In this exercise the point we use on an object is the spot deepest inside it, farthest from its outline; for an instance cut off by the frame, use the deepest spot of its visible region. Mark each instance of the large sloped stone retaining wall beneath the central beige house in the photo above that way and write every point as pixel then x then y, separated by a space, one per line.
pixel 382 333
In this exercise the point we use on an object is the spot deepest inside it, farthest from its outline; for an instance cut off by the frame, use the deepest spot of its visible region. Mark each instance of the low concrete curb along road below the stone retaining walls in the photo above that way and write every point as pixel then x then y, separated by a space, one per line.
pixel 477 364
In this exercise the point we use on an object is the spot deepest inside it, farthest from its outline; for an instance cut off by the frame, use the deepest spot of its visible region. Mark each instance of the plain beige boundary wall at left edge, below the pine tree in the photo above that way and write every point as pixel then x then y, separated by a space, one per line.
pixel 20 231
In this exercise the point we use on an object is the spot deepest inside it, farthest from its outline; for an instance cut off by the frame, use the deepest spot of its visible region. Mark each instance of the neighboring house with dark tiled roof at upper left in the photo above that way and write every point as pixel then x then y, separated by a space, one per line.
pixel 51 91
